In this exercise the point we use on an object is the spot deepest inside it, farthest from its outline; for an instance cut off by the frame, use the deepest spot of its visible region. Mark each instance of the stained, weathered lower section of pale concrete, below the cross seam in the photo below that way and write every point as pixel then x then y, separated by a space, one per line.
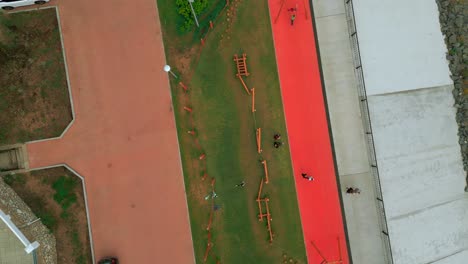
pixel 421 174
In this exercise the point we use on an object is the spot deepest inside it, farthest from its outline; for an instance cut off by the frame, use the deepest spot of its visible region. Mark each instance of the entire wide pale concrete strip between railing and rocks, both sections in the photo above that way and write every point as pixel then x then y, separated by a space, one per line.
pixel 413 121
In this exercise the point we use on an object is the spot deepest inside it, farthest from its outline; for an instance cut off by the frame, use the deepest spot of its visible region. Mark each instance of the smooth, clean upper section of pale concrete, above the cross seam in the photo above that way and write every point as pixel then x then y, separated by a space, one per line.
pixel 402 47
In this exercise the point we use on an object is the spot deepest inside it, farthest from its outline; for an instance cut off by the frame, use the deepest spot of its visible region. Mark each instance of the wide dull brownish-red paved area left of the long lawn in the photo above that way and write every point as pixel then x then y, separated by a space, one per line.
pixel 124 138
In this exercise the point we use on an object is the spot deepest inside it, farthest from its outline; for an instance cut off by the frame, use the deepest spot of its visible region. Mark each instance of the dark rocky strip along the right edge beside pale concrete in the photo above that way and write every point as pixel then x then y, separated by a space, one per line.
pixel 454 24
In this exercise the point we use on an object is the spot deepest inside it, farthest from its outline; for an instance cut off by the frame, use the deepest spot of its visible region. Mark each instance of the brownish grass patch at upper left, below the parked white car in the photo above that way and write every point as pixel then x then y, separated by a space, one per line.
pixel 34 101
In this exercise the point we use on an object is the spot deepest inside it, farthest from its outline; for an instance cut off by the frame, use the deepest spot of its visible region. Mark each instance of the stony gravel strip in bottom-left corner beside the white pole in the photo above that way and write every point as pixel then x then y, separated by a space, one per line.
pixel 21 215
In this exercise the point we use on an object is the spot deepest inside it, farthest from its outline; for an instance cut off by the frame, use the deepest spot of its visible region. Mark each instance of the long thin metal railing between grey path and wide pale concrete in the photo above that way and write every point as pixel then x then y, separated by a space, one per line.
pixel 368 127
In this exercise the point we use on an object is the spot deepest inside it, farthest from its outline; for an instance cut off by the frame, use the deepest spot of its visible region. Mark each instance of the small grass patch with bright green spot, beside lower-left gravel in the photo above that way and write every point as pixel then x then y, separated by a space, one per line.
pixel 56 196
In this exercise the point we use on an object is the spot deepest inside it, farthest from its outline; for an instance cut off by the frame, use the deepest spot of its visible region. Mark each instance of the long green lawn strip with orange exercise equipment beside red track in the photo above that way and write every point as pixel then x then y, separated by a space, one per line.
pixel 225 129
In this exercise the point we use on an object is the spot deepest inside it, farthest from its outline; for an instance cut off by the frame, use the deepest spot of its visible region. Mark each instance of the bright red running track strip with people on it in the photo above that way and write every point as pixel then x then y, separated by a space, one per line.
pixel 308 131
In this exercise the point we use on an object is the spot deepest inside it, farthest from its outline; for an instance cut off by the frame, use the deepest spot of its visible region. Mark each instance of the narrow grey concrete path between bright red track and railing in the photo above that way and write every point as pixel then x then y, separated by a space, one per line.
pixel 350 147
